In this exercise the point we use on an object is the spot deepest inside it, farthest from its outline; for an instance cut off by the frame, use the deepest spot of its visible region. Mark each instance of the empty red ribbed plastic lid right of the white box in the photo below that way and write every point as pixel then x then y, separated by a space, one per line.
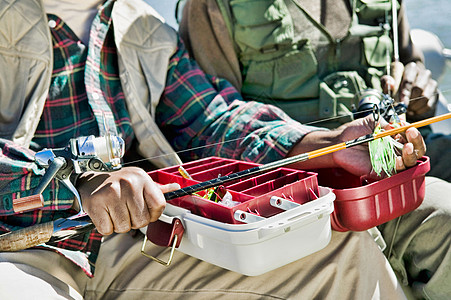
pixel 360 205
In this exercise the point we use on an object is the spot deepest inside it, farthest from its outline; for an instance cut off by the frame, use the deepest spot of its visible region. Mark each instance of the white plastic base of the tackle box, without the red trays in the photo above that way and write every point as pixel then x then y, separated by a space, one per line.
pixel 256 248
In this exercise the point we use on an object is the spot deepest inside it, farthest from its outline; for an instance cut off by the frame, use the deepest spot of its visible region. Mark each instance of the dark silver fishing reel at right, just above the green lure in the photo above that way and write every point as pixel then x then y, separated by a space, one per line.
pixel 371 101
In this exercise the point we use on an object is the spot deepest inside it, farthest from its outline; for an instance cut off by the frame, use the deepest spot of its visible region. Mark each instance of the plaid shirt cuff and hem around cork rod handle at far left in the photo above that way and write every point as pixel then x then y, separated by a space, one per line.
pixel 19 175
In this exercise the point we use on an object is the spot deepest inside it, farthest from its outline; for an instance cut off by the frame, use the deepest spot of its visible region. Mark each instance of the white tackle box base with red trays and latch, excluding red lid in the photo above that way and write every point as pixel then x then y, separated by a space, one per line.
pixel 282 216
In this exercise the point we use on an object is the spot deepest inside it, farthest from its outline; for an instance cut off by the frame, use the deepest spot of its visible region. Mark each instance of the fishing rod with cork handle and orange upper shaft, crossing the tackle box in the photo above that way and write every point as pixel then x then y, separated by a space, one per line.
pixel 65 227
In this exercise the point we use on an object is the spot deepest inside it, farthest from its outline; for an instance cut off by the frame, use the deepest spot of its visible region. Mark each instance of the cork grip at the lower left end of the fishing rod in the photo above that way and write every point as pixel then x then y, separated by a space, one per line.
pixel 26 237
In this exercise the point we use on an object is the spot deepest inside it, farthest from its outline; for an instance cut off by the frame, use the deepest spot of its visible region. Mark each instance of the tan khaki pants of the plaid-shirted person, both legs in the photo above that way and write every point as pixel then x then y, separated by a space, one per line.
pixel 350 267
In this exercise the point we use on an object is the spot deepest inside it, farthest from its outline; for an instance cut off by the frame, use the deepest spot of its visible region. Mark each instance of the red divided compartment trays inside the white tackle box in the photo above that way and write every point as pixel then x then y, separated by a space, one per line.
pixel 253 193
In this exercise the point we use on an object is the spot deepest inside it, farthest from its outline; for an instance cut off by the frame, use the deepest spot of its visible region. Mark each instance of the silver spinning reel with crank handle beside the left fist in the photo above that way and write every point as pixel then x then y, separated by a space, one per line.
pixel 82 154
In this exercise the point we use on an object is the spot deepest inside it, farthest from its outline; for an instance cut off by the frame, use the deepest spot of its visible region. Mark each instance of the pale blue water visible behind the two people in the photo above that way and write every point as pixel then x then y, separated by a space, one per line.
pixel 433 16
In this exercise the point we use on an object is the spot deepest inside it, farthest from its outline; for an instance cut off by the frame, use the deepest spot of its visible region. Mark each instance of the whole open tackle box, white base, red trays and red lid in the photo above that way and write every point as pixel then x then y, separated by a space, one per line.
pixel 281 215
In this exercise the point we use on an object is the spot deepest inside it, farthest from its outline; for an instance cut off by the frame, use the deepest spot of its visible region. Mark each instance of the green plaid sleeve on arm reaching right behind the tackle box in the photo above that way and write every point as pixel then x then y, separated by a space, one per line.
pixel 206 116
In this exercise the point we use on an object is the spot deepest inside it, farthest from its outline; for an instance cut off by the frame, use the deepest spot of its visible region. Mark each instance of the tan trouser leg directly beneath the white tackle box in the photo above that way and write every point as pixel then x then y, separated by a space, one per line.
pixel 350 267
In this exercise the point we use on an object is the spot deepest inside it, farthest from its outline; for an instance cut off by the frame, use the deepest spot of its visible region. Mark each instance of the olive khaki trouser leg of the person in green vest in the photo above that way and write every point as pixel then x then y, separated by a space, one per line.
pixel 419 243
